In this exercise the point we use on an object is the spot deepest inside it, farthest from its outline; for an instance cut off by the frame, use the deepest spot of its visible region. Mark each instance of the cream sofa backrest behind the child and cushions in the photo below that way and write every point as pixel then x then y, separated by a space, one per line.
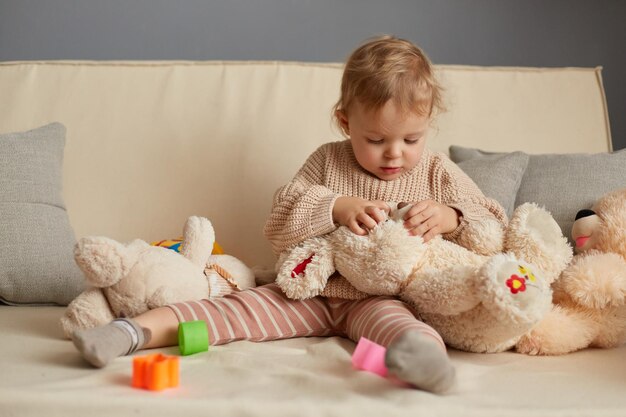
pixel 150 143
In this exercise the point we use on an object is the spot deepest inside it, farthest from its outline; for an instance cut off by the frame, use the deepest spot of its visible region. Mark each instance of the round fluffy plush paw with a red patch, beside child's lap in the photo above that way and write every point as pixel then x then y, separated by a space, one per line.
pixel 304 271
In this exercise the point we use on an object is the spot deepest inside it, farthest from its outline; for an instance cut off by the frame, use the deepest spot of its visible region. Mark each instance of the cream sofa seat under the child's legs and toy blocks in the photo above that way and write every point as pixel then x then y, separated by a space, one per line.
pixel 43 375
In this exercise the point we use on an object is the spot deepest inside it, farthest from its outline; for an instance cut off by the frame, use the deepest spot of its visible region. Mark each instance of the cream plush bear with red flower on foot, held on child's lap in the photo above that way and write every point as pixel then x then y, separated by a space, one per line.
pixel 477 303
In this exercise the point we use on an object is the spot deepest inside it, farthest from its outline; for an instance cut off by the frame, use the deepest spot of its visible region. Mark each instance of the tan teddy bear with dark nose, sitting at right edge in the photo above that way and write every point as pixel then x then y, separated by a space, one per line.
pixel 590 295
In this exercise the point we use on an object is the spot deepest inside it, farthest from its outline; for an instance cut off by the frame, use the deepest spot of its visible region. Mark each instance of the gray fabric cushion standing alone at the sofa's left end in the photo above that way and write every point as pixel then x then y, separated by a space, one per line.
pixel 36 244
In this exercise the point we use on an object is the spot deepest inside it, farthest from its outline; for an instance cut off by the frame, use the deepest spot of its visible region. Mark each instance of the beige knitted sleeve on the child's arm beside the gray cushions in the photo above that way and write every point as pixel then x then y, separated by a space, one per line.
pixel 461 193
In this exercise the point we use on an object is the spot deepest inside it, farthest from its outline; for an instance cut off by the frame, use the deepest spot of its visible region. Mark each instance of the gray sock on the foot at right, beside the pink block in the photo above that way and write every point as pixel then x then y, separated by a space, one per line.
pixel 418 359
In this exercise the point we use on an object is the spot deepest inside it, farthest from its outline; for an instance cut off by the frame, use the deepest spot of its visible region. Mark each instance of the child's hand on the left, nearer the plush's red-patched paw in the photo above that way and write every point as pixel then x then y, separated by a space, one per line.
pixel 359 215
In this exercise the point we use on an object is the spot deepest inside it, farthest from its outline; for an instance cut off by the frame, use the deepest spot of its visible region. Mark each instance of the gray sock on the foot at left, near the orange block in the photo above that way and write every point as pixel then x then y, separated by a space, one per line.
pixel 100 345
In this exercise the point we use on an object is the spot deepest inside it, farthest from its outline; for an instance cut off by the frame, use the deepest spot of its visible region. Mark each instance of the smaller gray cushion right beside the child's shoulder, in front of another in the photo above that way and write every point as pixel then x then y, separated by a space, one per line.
pixel 497 175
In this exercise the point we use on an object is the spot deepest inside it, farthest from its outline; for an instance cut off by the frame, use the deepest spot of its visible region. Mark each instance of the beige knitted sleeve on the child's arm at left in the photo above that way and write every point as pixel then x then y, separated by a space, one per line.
pixel 302 208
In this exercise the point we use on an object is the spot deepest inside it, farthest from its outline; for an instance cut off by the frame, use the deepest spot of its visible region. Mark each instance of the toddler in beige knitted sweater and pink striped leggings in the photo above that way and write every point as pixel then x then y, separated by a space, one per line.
pixel 389 97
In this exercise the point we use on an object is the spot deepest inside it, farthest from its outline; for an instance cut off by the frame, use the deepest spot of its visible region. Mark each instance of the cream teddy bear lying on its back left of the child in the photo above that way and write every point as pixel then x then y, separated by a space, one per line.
pixel 128 279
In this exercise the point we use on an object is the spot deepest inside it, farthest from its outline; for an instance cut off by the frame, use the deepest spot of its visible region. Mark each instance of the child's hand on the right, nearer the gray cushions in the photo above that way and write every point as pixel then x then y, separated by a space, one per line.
pixel 429 218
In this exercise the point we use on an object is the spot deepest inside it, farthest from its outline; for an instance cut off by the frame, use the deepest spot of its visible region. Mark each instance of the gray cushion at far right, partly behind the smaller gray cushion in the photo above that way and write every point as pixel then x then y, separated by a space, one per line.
pixel 565 183
